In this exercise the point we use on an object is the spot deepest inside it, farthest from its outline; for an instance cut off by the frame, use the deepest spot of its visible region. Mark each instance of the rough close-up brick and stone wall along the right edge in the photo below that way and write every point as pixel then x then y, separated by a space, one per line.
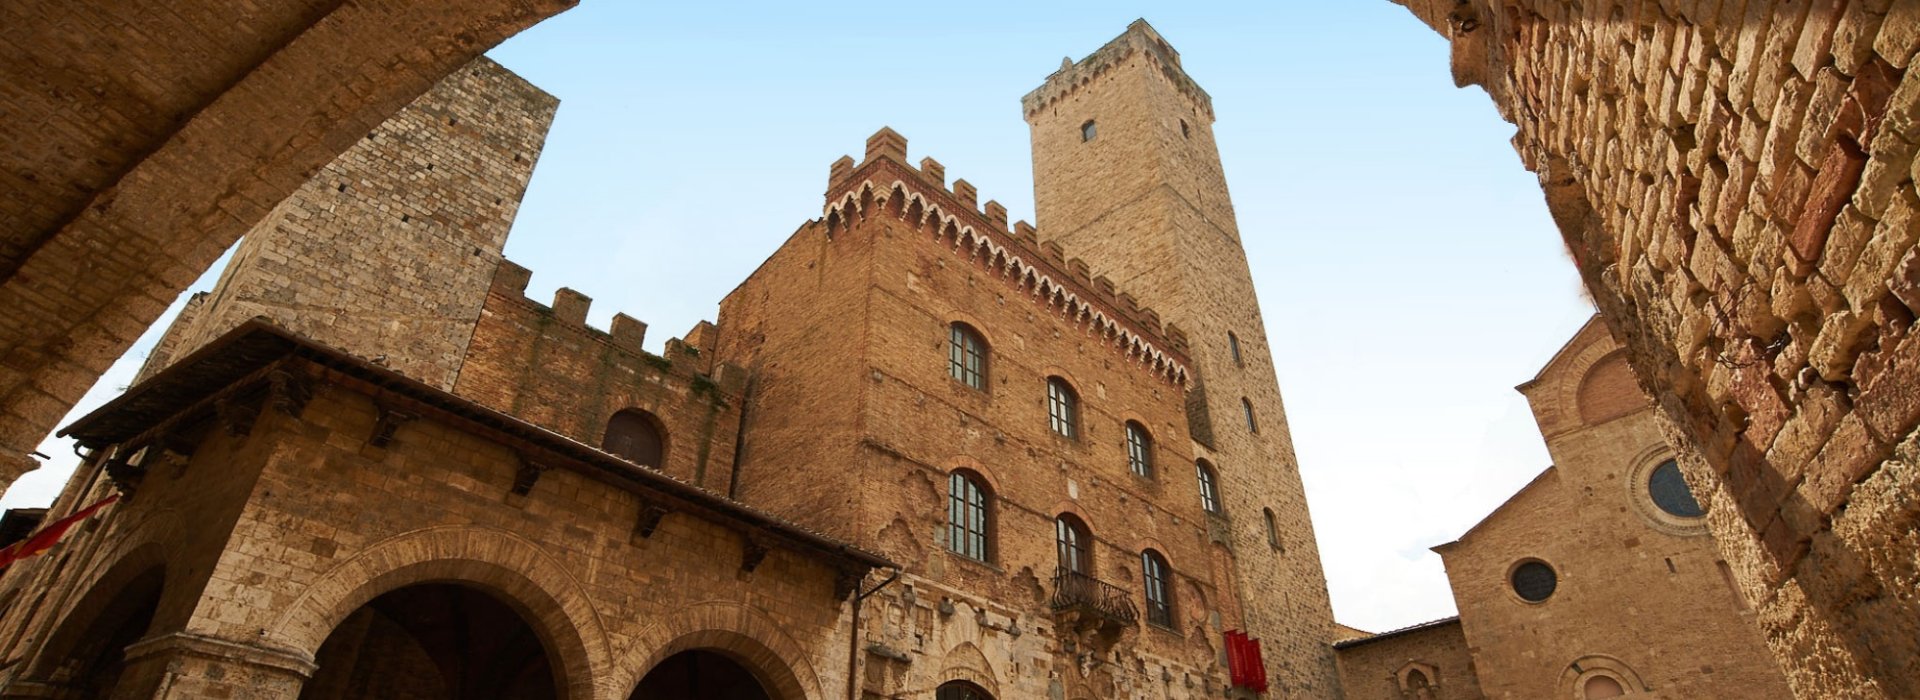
pixel 1737 185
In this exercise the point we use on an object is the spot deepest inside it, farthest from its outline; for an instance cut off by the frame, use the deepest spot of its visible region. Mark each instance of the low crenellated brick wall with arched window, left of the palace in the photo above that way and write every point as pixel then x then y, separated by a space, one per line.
pixel 548 367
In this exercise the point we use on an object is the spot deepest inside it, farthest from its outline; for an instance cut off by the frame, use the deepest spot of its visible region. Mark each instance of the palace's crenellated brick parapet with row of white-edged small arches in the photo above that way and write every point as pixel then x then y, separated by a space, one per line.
pixel 1042 269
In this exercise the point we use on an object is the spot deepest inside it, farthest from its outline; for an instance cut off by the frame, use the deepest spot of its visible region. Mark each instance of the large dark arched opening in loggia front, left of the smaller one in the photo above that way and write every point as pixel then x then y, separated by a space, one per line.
pixel 435 642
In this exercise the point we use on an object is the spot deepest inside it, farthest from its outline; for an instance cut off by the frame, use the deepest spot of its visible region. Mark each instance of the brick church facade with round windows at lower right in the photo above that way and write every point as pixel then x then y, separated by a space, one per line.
pixel 1643 594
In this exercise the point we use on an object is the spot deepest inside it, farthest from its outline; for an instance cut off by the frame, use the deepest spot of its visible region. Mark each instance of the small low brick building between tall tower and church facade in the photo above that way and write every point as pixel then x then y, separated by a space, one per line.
pixel 1381 666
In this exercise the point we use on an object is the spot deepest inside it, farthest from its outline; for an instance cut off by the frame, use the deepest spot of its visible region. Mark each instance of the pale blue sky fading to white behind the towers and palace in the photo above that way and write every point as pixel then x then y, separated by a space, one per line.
pixel 1404 260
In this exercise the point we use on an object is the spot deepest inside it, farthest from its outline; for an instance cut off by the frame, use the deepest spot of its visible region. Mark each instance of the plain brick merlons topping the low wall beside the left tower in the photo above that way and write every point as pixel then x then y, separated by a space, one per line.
pixel 569 310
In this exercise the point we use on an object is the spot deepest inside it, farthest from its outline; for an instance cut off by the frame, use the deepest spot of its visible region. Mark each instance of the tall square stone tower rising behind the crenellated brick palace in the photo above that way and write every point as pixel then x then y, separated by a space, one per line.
pixel 1126 175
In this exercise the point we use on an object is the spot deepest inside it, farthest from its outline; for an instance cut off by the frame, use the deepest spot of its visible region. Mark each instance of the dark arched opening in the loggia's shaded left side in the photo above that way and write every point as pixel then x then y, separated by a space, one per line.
pixel 97 655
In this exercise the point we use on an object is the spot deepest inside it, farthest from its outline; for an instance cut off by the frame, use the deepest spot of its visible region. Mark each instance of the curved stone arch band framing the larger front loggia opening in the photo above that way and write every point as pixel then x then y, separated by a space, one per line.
pixel 506 567
